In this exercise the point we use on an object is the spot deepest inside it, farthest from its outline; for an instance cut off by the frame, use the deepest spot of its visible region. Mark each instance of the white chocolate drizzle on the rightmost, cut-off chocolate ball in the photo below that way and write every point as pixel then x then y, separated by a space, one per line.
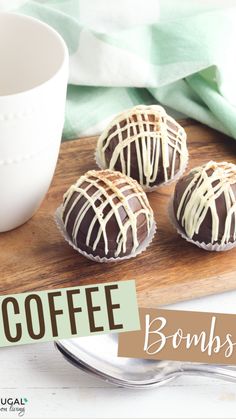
pixel 209 182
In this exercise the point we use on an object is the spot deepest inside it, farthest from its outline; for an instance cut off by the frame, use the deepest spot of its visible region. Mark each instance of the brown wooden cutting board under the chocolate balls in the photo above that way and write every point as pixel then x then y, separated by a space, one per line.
pixel 36 257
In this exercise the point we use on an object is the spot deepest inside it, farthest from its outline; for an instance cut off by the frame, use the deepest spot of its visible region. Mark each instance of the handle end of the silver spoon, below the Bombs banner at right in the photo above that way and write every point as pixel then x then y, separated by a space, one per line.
pixel 224 372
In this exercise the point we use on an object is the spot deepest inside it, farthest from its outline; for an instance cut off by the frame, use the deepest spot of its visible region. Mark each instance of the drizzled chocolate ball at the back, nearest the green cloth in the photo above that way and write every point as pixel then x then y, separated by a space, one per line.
pixel 144 143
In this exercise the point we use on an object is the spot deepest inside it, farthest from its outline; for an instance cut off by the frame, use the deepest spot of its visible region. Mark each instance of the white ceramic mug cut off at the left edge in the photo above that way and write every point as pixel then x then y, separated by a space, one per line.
pixel 33 80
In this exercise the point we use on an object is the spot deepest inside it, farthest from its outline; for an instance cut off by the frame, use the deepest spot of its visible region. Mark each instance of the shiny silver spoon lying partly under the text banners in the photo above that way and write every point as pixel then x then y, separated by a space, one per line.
pixel 98 355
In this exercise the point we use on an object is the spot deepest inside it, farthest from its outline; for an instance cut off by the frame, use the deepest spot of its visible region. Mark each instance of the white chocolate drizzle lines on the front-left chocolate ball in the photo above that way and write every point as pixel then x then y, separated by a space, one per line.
pixel 109 189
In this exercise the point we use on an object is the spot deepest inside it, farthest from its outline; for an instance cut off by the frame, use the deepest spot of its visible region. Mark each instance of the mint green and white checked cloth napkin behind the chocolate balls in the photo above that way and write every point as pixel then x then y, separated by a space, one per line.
pixel 179 53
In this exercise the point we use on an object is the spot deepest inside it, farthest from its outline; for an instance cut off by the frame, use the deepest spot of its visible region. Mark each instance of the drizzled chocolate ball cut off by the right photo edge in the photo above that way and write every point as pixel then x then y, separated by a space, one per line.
pixel 205 204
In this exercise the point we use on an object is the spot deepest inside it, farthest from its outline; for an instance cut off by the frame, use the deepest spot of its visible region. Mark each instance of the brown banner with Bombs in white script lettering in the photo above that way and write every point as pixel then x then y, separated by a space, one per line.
pixel 182 336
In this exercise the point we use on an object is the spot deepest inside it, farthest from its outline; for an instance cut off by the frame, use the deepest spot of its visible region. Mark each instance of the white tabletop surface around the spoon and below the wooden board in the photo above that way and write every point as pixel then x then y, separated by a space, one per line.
pixel 55 389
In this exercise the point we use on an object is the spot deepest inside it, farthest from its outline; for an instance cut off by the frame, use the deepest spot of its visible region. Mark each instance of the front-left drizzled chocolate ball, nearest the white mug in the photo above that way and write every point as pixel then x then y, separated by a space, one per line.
pixel 107 214
